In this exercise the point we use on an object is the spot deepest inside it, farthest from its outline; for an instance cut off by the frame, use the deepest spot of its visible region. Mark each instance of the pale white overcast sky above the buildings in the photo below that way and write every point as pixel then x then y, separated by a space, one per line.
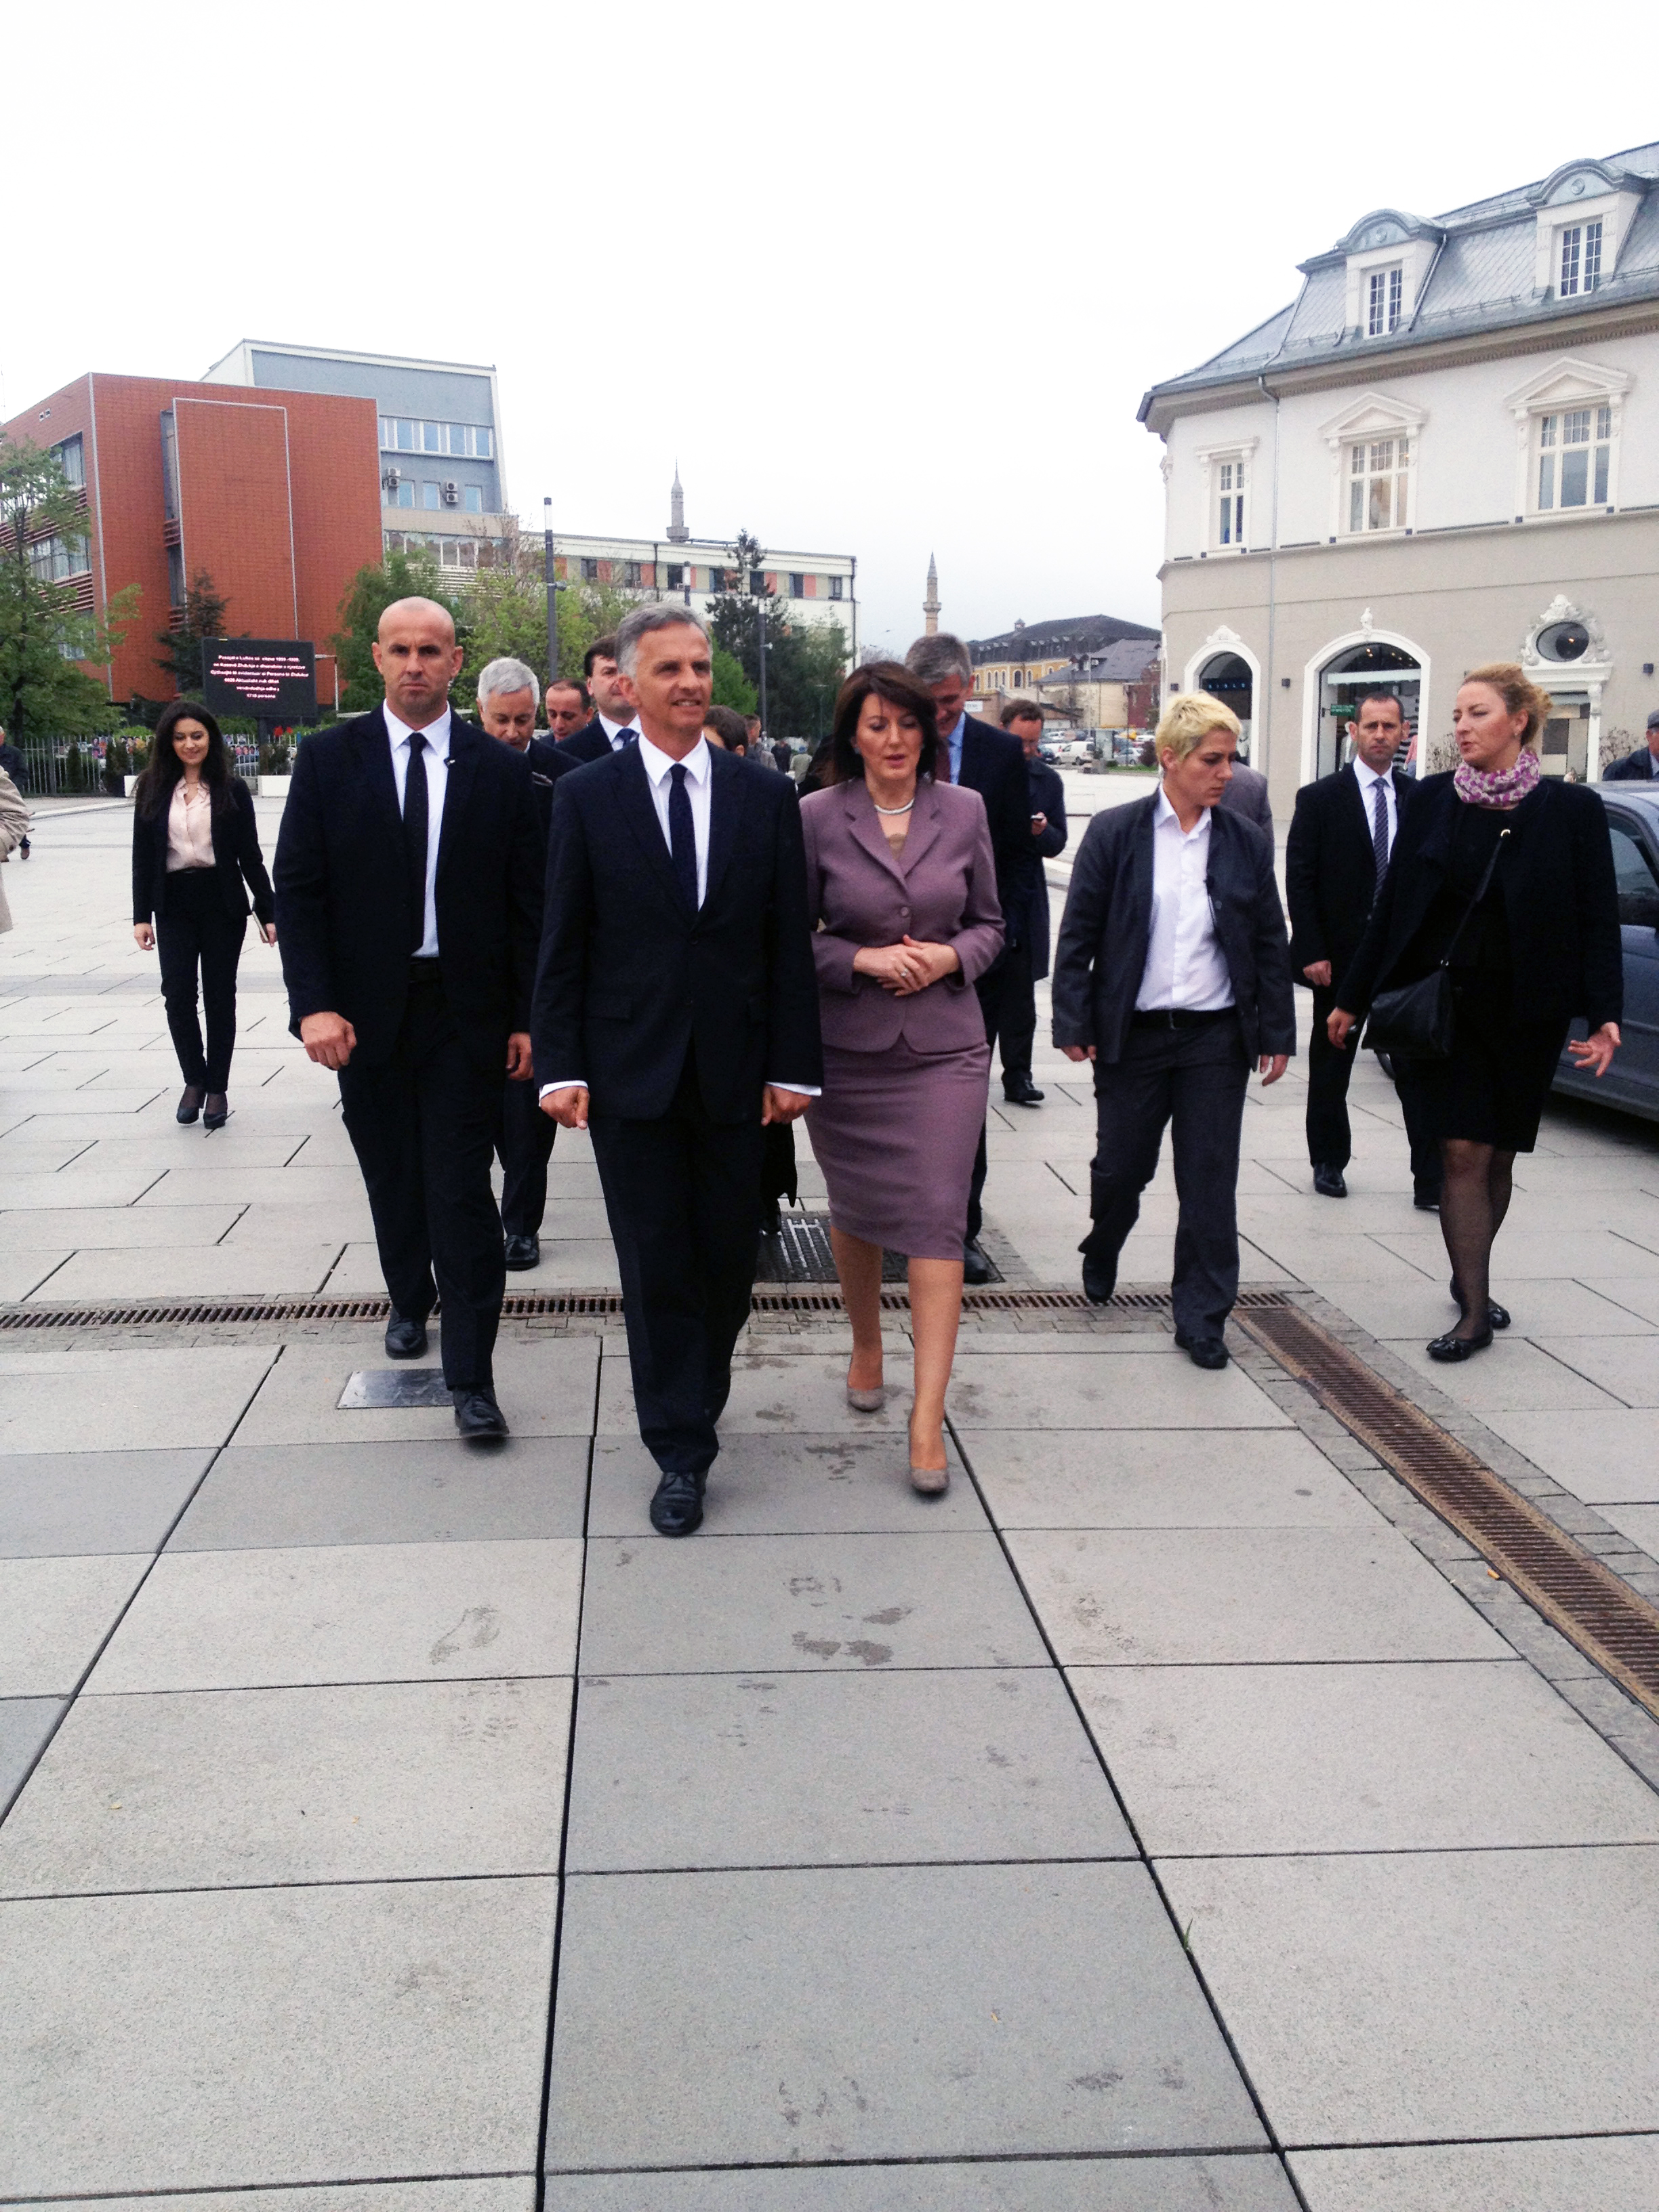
pixel 886 280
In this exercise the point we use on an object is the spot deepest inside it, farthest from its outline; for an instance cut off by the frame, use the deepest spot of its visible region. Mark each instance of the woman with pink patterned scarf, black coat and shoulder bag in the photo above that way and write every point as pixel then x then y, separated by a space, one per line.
pixel 1505 877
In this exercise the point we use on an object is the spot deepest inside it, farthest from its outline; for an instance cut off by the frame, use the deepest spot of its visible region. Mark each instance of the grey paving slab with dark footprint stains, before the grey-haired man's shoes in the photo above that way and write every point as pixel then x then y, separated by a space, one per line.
pixel 789 1603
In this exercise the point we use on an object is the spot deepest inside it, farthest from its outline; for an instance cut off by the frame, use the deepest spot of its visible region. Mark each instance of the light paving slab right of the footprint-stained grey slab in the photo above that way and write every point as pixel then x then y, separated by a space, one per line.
pixel 1242 1596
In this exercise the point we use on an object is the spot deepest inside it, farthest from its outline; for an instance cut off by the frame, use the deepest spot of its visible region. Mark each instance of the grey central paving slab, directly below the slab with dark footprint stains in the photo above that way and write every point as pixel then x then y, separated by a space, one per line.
pixel 773 1771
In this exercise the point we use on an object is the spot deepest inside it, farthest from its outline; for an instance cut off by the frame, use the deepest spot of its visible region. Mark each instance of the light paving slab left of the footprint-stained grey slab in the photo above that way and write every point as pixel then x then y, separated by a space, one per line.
pixel 244 1620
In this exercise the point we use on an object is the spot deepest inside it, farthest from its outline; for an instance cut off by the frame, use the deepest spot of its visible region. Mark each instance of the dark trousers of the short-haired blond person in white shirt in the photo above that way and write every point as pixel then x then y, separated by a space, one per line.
pixel 1196 1083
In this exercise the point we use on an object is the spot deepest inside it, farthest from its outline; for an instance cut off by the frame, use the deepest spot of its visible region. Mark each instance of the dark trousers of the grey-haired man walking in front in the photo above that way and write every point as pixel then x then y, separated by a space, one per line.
pixel 682 1196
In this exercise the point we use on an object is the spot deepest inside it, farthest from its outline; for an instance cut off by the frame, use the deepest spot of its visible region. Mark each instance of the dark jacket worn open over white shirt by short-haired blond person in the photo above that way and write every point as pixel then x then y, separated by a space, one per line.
pixel 1109 924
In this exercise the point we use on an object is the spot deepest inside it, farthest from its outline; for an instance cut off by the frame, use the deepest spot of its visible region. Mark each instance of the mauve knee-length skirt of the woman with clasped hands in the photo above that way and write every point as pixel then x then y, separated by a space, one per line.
pixel 895 1136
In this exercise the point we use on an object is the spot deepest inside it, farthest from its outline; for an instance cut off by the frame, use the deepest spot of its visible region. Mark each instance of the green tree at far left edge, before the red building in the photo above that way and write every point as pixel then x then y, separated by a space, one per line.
pixel 45 693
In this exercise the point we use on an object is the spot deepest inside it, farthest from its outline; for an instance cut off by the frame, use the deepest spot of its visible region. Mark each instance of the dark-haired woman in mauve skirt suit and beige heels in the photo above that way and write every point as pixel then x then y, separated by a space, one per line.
pixel 904 890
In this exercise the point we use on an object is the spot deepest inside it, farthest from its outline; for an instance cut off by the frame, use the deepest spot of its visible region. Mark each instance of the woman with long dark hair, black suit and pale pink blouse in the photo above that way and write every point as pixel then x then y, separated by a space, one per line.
pixel 196 868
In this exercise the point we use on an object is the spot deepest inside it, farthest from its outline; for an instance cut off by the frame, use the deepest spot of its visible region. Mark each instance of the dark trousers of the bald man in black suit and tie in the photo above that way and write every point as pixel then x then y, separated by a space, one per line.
pixel 424 1131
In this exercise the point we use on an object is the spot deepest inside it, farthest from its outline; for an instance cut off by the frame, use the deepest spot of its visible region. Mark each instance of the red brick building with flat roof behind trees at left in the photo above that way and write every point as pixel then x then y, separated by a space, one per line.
pixel 273 494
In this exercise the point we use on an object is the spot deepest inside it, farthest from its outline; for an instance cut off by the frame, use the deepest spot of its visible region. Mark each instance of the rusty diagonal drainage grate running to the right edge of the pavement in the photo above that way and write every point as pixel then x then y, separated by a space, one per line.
pixel 1576 1594
